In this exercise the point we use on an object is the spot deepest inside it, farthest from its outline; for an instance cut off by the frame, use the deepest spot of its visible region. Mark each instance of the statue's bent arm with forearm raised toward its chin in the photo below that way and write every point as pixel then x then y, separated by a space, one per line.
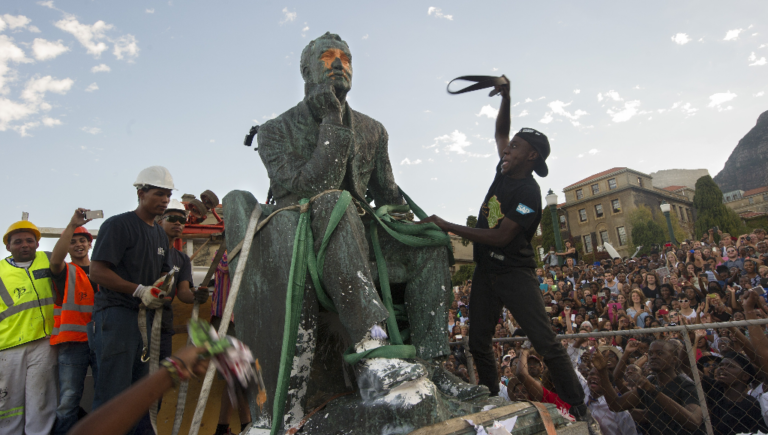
pixel 287 167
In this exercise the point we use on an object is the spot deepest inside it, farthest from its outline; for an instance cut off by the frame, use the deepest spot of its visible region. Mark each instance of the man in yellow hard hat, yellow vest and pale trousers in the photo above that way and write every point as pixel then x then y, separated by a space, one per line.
pixel 27 360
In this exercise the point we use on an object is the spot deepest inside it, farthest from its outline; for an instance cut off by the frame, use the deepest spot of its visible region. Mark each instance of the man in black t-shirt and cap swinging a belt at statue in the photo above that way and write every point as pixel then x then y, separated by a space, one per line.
pixel 508 219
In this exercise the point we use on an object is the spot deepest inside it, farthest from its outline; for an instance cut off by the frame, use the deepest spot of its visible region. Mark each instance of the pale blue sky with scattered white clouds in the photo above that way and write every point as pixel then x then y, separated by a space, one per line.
pixel 91 92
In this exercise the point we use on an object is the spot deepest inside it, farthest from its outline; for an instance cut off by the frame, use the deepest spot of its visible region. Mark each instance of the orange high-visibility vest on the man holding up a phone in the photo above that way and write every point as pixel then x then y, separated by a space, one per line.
pixel 69 319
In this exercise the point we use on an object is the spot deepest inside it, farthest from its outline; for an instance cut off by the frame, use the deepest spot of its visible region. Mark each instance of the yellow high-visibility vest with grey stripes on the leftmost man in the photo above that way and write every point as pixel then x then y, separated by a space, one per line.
pixel 26 301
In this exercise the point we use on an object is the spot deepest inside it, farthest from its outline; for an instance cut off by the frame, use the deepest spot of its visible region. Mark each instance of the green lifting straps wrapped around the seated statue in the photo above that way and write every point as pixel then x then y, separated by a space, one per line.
pixel 304 260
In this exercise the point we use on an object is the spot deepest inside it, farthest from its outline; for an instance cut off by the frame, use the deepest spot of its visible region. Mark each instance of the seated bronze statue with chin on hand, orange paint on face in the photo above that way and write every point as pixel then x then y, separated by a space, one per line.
pixel 322 145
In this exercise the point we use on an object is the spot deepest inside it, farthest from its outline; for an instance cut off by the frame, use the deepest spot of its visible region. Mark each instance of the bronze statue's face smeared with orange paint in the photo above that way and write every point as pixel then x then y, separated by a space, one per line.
pixel 332 65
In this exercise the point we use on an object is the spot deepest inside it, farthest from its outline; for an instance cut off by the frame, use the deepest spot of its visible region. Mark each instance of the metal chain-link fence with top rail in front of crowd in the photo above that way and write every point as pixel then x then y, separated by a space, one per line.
pixel 736 417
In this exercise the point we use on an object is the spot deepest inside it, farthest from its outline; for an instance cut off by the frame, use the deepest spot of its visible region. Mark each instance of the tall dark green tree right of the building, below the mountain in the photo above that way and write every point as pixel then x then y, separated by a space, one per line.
pixel 711 212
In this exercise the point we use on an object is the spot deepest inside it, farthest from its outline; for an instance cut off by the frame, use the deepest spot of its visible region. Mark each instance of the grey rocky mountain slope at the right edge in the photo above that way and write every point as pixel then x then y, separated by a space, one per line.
pixel 746 167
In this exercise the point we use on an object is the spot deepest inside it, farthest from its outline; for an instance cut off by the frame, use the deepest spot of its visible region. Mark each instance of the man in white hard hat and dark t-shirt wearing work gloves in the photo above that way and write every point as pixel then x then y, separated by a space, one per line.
pixel 128 263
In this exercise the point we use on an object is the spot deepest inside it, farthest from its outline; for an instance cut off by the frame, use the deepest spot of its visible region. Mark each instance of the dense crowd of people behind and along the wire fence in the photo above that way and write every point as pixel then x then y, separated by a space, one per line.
pixel 643 383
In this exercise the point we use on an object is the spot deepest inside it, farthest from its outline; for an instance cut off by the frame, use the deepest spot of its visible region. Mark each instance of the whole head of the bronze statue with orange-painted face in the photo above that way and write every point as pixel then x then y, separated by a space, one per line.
pixel 327 60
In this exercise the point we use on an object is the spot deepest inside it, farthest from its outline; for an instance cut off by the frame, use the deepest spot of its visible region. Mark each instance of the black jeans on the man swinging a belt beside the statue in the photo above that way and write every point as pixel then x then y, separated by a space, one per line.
pixel 519 291
